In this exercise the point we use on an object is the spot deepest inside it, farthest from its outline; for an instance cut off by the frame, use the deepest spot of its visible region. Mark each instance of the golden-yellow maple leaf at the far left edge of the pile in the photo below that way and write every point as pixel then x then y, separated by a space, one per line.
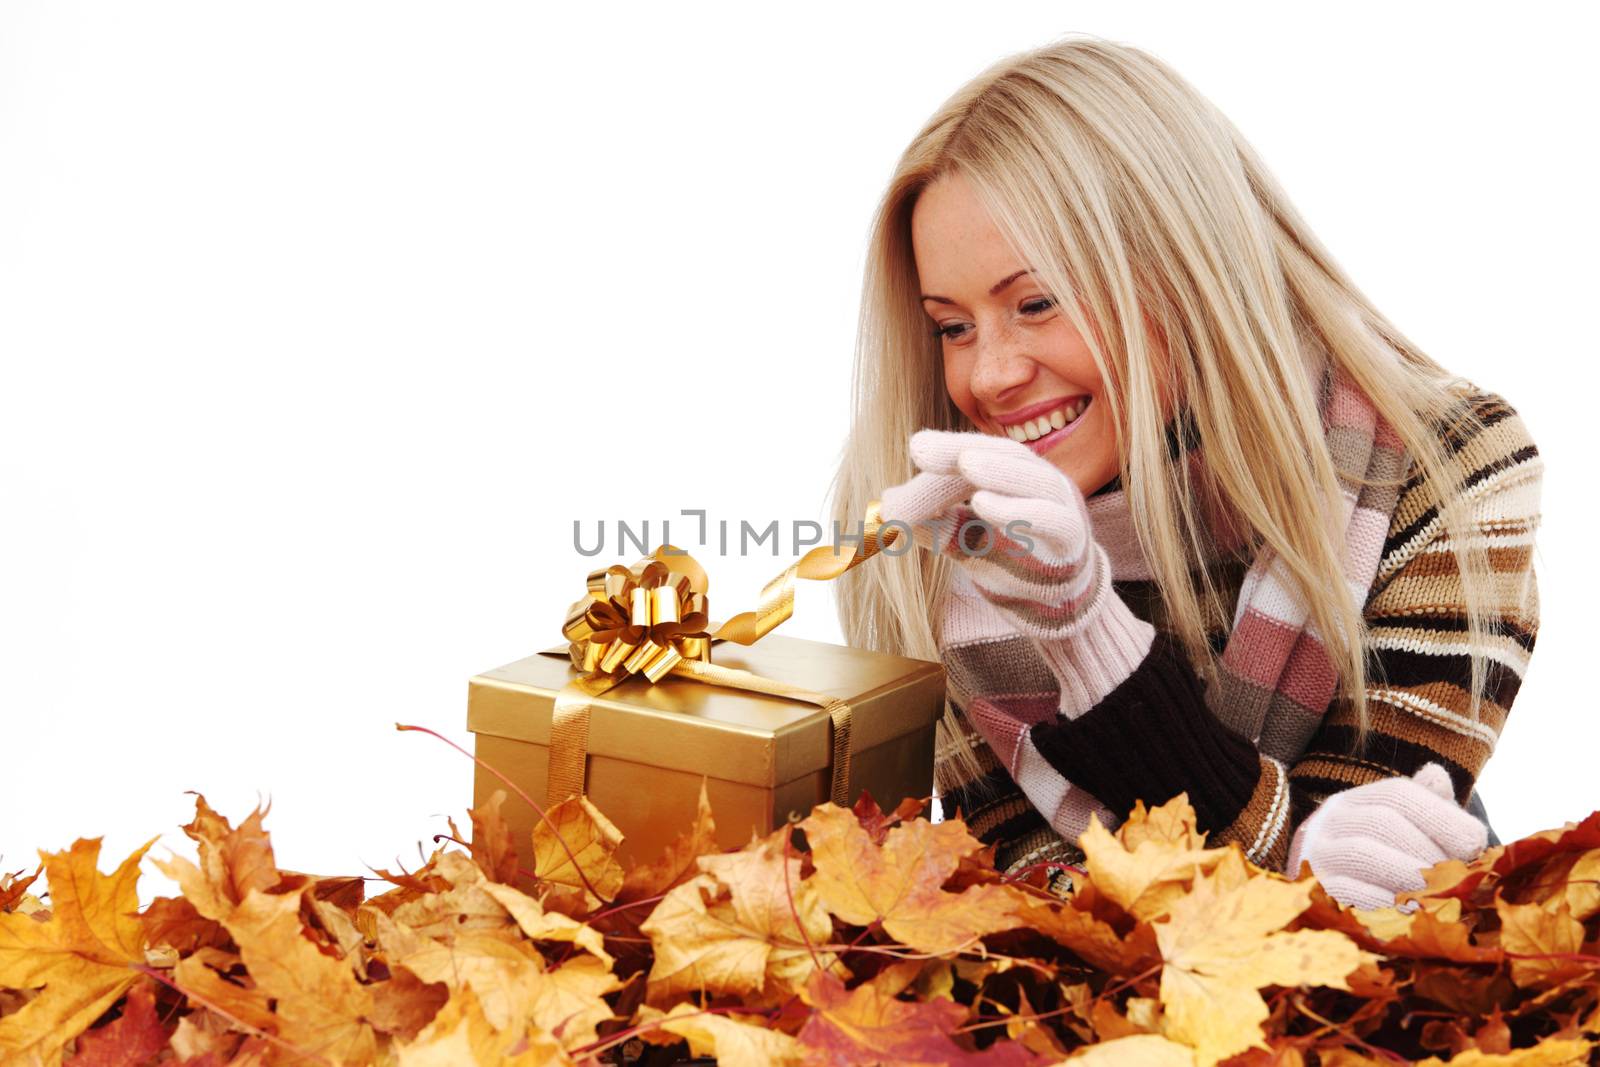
pixel 84 956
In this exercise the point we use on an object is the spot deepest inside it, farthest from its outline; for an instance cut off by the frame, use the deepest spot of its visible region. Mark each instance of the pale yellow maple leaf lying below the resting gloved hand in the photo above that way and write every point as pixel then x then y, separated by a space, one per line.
pixel 1223 941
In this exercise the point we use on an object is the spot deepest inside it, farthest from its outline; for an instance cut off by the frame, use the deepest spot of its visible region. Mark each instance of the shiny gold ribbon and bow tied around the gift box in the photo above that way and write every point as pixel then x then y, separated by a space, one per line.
pixel 650 620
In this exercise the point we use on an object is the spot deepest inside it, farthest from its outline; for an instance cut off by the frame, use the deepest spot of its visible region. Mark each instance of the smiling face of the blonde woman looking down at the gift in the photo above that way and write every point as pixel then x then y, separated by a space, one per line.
pixel 1014 364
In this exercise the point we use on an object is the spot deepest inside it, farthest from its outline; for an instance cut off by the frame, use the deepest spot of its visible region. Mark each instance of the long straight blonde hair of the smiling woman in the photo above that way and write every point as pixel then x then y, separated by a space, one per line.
pixel 1124 188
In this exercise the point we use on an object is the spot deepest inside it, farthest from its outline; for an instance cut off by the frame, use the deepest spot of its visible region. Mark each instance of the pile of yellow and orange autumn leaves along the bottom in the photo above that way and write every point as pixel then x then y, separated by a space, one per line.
pixel 854 938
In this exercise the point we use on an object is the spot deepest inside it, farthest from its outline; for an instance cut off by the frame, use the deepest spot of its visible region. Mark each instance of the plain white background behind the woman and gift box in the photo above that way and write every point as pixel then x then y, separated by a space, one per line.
pixel 324 322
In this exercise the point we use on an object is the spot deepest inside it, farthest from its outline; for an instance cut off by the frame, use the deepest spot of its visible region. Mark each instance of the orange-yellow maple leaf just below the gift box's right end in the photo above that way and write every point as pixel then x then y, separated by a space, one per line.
pixel 900 882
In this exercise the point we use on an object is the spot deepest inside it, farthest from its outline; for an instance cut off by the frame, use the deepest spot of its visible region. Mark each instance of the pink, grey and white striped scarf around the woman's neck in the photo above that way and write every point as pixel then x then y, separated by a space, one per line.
pixel 1276 679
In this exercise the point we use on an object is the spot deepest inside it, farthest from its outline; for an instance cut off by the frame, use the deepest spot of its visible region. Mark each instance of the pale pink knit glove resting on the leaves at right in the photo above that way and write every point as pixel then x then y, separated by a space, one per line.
pixel 1374 842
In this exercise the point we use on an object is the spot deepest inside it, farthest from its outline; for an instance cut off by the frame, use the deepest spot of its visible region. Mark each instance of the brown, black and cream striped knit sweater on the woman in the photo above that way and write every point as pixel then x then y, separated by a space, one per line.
pixel 1153 737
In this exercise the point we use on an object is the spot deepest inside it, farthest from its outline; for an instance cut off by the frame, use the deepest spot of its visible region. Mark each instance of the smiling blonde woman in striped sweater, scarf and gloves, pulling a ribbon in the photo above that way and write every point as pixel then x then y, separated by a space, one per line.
pixel 1198 518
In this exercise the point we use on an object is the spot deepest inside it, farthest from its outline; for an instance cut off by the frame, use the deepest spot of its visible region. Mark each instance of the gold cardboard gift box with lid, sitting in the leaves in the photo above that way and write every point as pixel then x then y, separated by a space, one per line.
pixel 766 757
